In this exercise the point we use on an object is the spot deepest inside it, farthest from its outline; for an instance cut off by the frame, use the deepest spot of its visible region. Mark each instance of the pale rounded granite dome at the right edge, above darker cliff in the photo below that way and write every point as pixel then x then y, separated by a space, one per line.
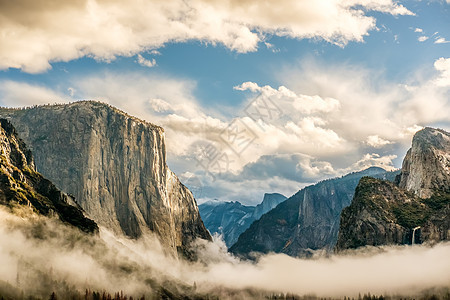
pixel 426 167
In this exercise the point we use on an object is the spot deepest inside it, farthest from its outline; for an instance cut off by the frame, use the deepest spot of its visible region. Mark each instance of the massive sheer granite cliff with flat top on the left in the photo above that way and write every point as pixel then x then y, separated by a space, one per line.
pixel 115 165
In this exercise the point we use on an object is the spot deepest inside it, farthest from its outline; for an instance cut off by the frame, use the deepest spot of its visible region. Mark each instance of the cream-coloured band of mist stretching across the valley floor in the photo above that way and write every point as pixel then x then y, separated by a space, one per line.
pixel 40 255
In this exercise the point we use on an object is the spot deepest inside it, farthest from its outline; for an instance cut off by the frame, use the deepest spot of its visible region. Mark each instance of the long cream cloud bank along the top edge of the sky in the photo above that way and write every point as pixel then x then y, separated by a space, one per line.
pixel 36 33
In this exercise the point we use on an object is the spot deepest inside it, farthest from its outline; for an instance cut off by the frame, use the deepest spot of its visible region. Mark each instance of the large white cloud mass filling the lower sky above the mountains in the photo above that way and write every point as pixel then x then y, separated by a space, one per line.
pixel 332 120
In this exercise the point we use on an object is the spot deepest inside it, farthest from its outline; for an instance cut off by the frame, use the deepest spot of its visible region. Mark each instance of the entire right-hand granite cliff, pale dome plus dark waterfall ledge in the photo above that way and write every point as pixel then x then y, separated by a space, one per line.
pixel 416 209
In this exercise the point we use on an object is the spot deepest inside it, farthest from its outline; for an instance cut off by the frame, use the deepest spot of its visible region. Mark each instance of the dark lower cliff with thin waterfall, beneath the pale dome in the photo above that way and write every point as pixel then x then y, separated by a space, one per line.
pixel 381 213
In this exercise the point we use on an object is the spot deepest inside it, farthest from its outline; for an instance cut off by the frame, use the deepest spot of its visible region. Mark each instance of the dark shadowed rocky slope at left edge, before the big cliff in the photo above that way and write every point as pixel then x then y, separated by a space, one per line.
pixel 21 185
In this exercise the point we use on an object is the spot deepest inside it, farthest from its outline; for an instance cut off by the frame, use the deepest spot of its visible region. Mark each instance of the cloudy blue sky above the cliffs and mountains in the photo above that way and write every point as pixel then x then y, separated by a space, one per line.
pixel 254 96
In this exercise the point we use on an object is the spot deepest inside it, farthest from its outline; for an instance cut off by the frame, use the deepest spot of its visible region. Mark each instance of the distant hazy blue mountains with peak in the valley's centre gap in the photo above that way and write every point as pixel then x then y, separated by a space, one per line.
pixel 230 219
